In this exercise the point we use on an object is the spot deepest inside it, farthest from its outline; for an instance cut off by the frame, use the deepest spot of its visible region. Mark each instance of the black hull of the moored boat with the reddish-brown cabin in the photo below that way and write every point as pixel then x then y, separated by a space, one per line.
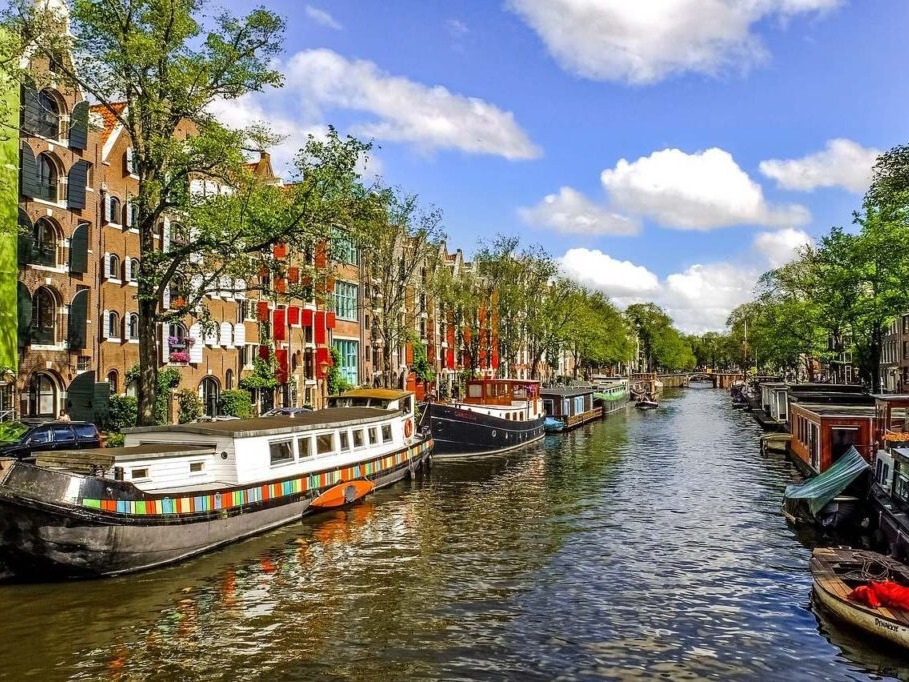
pixel 460 432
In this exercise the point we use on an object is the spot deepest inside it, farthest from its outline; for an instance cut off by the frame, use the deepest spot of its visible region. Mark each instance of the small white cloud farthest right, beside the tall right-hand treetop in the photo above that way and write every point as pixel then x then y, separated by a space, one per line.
pixel 842 163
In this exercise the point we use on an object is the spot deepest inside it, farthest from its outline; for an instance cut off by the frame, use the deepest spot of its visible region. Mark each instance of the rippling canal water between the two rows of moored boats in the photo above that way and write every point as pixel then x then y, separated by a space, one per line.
pixel 649 545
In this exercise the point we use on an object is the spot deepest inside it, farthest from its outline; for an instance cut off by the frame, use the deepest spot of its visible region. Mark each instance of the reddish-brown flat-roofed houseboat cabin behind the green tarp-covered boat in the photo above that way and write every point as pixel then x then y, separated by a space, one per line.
pixel 822 433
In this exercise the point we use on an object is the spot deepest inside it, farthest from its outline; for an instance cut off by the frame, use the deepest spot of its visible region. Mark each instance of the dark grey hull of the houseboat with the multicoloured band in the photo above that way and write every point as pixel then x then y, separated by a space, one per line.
pixel 45 535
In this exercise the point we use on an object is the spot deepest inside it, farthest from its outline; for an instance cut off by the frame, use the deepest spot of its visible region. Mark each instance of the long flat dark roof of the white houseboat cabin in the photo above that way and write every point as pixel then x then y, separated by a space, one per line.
pixel 267 426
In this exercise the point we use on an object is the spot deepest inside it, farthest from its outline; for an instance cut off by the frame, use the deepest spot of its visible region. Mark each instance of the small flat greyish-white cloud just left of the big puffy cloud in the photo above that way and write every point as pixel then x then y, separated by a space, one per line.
pixel 570 212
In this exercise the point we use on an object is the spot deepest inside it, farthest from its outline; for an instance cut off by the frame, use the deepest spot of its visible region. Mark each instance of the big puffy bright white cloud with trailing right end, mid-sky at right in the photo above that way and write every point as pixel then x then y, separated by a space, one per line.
pixel 699 191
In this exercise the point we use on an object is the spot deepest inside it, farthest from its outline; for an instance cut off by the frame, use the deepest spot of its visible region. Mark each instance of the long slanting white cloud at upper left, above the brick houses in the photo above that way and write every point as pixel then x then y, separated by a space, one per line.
pixel 430 117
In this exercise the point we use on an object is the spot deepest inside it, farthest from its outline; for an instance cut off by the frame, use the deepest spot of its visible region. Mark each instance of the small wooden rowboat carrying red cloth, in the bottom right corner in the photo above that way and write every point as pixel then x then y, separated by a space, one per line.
pixel 837 572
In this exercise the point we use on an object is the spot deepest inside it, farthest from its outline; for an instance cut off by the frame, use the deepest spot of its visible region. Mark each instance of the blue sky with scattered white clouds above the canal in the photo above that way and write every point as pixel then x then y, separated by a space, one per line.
pixel 670 153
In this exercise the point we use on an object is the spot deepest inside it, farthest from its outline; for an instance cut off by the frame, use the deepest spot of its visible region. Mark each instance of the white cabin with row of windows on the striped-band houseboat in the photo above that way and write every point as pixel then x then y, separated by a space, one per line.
pixel 249 451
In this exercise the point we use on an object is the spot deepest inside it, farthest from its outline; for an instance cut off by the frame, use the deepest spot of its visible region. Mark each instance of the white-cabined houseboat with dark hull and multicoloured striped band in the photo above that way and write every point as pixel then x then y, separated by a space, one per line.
pixel 176 491
